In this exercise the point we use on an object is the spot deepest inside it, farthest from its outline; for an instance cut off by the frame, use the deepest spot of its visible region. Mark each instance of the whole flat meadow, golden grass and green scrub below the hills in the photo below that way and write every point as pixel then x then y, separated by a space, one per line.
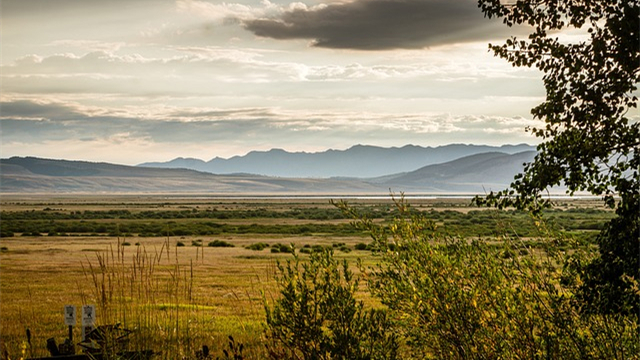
pixel 195 270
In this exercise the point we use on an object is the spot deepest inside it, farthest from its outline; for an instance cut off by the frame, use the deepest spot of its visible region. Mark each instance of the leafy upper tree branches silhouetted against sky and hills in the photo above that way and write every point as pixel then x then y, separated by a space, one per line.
pixel 589 143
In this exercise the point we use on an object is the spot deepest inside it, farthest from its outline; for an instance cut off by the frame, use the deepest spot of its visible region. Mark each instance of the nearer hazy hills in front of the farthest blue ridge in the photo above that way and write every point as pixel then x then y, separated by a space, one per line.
pixel 472 174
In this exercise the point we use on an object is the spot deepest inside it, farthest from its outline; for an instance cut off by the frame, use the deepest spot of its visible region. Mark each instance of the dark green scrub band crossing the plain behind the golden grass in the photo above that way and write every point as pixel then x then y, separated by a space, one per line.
pixel 580 222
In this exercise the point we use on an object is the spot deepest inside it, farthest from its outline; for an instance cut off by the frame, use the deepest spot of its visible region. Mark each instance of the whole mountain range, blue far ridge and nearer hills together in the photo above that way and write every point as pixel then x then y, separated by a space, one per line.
pixel 479 169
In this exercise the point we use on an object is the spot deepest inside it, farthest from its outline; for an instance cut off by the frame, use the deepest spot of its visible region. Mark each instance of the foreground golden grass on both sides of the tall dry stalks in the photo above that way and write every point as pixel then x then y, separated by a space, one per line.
pixel 41 275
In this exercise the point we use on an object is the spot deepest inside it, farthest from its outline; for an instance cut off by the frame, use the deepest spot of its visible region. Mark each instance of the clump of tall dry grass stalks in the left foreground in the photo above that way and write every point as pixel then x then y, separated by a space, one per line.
pixel 151 294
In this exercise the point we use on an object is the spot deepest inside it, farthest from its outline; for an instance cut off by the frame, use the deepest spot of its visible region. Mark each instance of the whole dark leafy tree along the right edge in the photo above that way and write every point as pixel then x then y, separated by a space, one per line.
pixel 589 143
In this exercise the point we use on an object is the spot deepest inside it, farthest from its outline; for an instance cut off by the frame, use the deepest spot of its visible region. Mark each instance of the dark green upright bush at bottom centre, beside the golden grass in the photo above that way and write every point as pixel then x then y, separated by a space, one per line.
pixel 317 316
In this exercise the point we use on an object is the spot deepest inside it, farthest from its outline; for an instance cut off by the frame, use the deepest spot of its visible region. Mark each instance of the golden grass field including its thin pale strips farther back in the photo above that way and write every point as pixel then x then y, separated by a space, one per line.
pixel 203 294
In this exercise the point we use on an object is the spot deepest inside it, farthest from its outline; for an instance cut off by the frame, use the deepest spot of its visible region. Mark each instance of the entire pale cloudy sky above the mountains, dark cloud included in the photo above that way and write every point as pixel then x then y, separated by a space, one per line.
pixel 131 81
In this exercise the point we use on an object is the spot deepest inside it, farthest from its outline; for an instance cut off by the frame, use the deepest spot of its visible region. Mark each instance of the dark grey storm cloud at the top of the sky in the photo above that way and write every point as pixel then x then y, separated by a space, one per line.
pixel 382 24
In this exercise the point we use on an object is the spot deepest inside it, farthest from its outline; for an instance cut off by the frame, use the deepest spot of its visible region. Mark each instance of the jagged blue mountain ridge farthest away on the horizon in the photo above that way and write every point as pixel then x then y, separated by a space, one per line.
pixel 360 161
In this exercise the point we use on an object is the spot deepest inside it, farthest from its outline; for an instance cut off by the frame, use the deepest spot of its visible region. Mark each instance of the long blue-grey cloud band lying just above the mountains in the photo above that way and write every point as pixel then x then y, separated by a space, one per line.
pixel 28 121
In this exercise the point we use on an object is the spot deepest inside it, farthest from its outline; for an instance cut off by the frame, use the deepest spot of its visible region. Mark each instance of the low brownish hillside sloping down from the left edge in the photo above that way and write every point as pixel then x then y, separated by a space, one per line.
pixel 35 175
